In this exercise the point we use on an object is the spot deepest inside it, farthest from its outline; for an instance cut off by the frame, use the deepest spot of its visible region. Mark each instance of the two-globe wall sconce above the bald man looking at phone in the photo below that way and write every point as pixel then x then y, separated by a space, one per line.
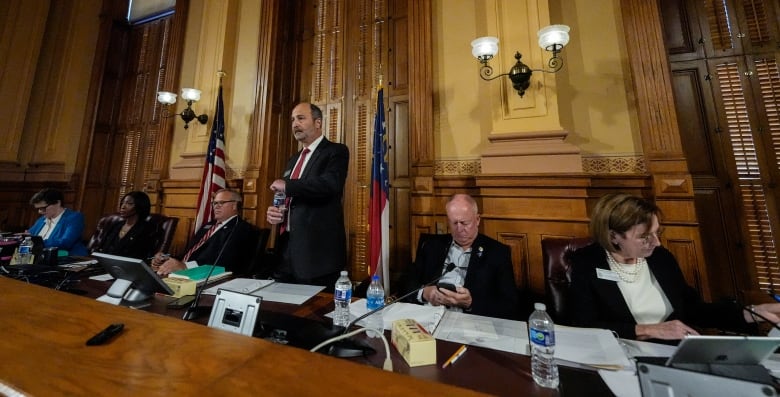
pixel 551 38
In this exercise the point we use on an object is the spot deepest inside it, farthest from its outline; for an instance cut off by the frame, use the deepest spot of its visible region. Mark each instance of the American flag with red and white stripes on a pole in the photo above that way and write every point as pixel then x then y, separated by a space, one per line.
pixel 214 169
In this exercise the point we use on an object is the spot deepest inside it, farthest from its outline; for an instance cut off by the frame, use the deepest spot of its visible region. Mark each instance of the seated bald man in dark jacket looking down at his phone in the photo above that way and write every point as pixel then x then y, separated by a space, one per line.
pixel 483 277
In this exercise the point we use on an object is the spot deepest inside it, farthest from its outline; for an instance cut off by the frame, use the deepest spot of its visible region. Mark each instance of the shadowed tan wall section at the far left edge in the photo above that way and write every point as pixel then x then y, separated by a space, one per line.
pixel 45 73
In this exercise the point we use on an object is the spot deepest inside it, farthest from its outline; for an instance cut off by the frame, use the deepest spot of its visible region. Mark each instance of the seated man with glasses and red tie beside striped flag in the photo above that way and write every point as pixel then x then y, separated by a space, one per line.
pixel 227 240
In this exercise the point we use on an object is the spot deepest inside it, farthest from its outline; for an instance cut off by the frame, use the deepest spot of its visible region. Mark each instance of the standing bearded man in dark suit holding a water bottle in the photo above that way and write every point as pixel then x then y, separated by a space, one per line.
pixel 312 240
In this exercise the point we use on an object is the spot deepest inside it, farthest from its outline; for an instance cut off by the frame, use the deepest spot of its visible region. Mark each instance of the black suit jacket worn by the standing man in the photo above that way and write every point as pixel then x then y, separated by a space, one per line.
pixel 317 243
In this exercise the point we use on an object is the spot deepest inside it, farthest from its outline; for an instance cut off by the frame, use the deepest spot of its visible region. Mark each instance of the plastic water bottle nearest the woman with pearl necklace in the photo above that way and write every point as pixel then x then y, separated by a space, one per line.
pixel 541 332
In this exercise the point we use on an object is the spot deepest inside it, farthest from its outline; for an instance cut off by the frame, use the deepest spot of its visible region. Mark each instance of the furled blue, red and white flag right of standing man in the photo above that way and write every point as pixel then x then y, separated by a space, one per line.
pixel 379 208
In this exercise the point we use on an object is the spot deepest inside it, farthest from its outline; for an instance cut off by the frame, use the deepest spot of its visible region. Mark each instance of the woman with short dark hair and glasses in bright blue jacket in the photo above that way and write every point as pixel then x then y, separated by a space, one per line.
pixel 58 226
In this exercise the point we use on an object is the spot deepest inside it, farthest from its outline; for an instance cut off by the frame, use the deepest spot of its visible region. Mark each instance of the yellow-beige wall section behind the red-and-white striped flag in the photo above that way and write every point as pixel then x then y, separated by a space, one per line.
pixel 221 35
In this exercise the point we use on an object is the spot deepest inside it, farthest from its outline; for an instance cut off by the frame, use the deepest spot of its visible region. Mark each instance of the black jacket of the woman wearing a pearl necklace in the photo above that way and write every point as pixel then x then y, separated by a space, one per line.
pixel 598 303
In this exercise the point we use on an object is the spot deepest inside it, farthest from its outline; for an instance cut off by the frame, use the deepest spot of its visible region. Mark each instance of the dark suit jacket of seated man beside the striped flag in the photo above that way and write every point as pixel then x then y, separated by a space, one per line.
pixel 239 238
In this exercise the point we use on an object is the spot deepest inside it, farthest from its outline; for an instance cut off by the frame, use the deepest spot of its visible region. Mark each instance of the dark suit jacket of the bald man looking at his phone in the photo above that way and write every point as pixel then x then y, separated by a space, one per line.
pixel 489 277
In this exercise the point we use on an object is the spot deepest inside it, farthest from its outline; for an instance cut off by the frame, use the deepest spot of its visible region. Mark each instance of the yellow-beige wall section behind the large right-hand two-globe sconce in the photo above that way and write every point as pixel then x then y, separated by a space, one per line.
pixel 590 97
